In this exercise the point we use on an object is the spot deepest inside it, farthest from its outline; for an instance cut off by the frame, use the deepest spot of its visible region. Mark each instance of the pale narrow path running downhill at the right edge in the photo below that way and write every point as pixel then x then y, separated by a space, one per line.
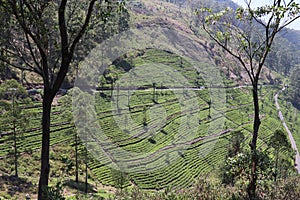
pixel 294 146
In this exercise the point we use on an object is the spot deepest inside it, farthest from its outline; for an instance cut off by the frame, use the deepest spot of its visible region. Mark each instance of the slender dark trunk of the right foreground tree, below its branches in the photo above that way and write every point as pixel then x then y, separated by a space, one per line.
pixel 254 159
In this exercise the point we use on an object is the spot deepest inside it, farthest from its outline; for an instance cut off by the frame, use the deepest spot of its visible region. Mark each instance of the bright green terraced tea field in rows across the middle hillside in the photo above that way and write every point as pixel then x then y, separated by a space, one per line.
pixel 161 135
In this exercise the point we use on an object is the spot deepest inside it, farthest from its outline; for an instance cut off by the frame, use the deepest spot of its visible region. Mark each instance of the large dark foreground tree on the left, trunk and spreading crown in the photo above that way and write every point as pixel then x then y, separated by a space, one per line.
pixel 44 36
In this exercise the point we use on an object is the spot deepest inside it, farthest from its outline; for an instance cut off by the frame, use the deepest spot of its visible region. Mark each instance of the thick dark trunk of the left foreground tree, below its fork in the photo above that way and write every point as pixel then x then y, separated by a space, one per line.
pixel 45 166
